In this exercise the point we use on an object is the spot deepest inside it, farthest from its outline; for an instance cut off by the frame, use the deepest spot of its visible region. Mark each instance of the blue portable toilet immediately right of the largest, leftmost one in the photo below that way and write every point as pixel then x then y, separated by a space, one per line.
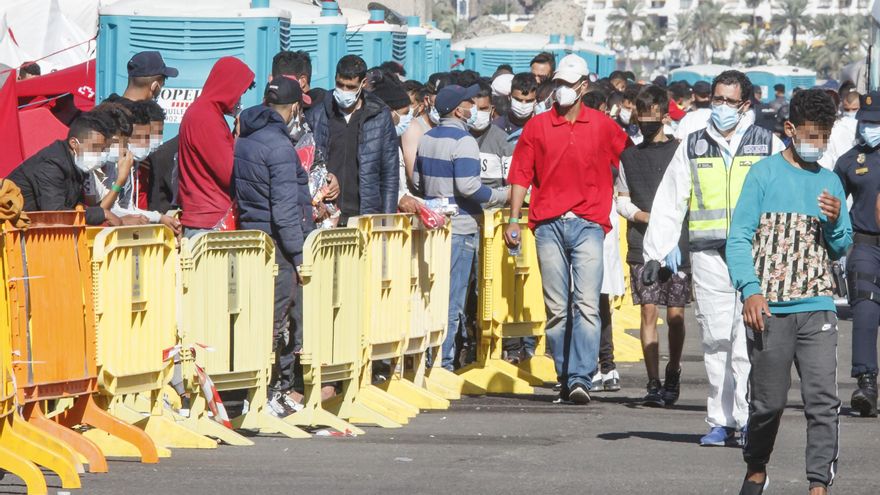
pixel 318 31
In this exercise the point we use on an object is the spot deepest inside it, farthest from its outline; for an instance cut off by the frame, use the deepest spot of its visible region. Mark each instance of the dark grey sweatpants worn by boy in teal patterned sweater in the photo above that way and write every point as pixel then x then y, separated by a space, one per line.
pixel 810 341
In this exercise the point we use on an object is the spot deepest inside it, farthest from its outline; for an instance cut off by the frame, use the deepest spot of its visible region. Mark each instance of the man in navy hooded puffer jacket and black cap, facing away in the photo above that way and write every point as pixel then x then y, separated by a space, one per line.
pixel 268 182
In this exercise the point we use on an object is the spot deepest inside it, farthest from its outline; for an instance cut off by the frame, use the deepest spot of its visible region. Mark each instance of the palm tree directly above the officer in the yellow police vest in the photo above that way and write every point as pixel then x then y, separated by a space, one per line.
pixel 704 30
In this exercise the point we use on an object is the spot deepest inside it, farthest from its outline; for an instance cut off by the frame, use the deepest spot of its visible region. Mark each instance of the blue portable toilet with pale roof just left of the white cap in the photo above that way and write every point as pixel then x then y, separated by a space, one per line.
pixel 485 54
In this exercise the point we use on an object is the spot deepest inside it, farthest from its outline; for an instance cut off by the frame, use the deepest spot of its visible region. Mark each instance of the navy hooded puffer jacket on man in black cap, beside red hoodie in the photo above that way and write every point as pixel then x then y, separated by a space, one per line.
pixel 267 180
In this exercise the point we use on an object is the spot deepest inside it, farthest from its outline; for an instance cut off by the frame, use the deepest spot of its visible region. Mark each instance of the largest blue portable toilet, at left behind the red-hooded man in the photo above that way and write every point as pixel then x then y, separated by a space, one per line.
pixel 191 36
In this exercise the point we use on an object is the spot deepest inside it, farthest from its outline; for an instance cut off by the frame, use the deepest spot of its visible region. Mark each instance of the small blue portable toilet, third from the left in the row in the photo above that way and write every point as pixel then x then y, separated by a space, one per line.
pixel 377 41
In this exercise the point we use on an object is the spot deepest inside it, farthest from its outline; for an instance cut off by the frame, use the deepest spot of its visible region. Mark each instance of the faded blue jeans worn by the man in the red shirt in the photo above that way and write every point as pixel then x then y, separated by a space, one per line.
pixel 570 258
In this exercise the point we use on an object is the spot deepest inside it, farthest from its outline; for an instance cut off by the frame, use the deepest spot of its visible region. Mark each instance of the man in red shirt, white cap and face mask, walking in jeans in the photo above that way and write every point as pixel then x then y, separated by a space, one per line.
pixel 566 156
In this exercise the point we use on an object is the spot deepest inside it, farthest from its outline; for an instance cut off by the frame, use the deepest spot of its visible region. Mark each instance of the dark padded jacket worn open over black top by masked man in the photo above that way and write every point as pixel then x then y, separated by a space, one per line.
pixel 378 159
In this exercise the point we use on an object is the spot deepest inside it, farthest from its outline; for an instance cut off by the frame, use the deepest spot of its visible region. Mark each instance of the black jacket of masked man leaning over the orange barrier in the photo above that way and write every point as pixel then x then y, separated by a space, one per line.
pixel 50 181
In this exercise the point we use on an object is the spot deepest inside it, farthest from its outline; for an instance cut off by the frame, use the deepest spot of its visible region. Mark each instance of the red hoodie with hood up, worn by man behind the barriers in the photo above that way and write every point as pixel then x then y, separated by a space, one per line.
pixel 205 148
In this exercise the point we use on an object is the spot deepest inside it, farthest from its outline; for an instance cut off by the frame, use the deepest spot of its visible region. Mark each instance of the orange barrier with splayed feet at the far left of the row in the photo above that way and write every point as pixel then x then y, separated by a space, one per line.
pixel 53 330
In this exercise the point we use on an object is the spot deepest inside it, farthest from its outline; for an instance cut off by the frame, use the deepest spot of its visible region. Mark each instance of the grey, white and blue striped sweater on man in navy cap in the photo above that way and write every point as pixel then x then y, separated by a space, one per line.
pixel 448 166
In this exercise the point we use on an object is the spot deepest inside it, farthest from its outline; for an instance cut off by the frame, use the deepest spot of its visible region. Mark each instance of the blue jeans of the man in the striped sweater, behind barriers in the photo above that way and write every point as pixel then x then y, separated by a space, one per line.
pixel 464 249
